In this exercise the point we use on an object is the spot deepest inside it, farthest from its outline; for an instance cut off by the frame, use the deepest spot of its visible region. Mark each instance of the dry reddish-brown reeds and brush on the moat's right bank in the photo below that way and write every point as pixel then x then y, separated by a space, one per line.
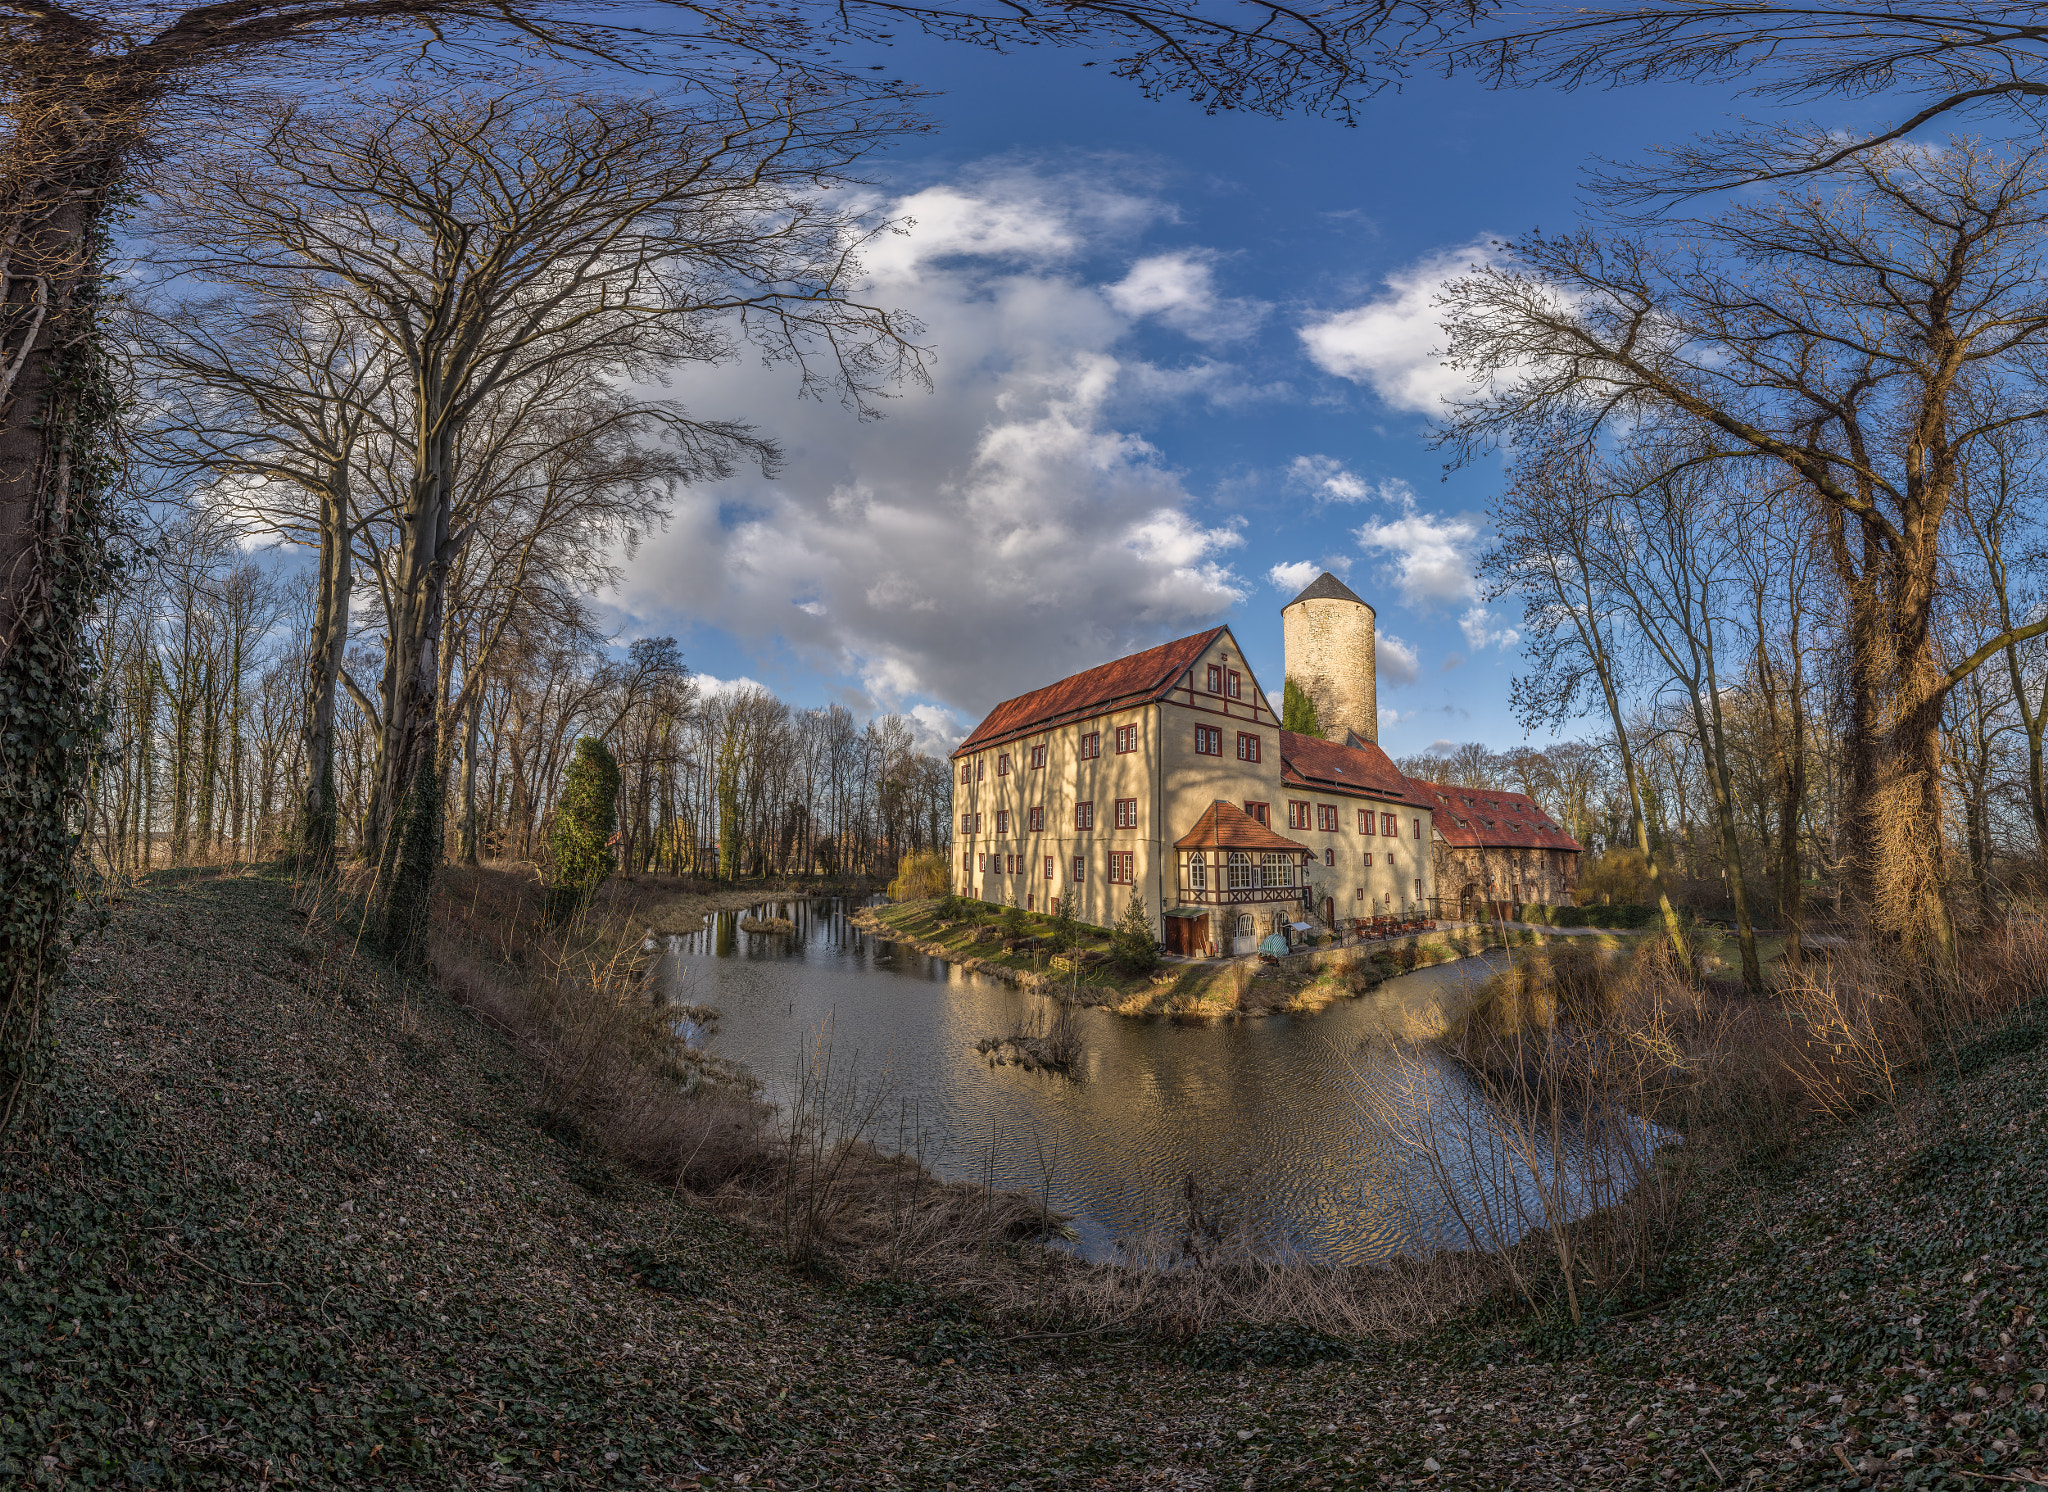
pixel 1615 1088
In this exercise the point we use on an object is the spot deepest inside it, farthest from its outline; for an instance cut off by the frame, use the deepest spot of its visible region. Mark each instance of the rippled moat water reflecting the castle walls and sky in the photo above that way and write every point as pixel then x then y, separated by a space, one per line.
pixel 1299 1131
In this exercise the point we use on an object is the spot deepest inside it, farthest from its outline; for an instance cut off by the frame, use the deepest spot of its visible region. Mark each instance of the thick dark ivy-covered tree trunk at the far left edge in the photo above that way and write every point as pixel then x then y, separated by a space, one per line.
pixel 56 416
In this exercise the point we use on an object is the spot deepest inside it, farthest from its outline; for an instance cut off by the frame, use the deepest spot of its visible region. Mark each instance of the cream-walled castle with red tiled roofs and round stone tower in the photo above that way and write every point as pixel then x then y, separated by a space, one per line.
pixel 1168 775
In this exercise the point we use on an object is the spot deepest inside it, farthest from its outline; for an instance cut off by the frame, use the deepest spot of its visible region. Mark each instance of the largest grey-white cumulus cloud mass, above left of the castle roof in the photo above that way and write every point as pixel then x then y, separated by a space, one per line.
pixel 988 537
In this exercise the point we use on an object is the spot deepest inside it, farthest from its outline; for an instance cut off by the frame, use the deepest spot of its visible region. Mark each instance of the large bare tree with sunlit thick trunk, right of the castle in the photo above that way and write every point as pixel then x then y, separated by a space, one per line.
pixel 1832 337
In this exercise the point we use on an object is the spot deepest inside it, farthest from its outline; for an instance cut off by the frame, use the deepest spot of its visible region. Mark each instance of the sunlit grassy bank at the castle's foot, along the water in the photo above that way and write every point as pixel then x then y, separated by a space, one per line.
pixel 1211 990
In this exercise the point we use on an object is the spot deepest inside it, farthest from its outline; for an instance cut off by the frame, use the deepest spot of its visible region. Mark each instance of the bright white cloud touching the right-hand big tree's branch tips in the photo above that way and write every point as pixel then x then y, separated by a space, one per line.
pixel 1394 343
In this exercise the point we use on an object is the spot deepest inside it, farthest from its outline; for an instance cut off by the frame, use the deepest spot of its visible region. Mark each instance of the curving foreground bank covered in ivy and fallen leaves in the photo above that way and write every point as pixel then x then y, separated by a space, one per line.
pixel 302 1223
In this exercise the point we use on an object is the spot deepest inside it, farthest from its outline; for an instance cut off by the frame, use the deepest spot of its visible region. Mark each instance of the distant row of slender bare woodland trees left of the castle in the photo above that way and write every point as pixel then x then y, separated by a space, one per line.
pixel 206 660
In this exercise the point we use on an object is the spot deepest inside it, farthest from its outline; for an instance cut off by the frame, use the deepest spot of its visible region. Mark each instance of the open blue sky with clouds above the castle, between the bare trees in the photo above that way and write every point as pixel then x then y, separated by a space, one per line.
pixel 1185 363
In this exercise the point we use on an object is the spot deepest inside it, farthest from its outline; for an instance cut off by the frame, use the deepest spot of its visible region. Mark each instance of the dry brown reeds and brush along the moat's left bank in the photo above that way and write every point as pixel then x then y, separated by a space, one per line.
pixel 626 1086
